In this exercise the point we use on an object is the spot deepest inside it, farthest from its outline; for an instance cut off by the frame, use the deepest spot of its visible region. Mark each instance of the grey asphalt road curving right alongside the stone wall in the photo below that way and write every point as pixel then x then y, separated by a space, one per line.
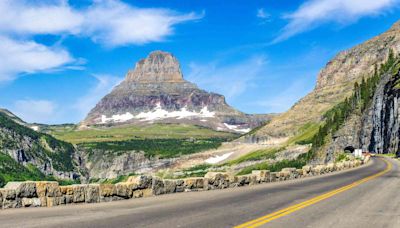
pixel 375 203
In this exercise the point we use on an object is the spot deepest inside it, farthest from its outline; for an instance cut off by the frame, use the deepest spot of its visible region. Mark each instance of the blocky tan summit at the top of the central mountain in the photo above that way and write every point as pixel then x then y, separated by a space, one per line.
pixel 159 66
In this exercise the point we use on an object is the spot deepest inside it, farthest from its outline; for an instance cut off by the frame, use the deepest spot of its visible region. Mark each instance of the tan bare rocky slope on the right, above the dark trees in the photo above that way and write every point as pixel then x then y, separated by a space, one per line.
pixel 335 82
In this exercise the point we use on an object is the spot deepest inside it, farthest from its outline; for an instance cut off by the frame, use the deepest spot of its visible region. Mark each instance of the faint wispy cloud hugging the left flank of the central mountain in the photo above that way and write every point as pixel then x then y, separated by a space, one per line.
pixel 104 85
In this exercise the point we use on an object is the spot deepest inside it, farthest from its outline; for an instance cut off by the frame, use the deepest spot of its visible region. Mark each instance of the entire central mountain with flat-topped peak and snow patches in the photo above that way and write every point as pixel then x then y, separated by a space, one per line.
pixel 155 91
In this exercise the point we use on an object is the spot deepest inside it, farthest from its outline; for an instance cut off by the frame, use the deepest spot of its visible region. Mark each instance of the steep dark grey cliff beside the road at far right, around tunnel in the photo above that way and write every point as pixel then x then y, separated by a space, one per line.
pixel 377 129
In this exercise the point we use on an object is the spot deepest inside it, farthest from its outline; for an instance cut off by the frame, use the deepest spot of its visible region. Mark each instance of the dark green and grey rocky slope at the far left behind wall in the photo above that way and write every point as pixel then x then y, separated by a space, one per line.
pixel 33 151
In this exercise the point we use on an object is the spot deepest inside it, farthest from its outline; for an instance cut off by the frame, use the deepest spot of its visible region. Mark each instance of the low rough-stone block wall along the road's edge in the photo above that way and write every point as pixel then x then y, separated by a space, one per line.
pixel 49 193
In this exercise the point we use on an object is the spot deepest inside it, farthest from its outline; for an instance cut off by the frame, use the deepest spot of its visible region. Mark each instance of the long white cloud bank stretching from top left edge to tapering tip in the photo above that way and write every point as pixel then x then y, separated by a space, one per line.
pixel 110 22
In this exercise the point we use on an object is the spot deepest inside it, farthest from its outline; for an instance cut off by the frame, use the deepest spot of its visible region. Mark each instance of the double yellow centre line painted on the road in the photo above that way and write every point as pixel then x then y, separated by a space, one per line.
pixel 267 218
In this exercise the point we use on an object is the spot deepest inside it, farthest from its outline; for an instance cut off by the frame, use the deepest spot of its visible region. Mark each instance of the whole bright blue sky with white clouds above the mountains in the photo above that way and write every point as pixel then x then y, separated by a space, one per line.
pixel 59 57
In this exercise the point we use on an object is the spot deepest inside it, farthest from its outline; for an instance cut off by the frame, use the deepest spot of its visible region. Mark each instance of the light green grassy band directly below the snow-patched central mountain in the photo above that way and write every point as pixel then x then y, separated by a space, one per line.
pixel 123 133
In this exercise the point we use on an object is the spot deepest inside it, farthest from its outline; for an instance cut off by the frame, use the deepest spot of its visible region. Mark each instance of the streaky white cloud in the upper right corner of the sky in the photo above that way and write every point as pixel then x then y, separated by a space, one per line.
pixel 316 12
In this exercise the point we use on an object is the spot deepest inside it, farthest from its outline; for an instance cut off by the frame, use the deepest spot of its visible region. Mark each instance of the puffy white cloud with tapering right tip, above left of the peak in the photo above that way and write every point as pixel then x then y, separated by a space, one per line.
pixel 114 23
